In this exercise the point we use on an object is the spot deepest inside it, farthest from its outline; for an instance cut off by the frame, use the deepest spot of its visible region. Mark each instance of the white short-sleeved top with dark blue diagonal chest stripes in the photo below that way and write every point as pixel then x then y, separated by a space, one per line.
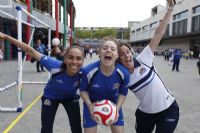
pixel 147 86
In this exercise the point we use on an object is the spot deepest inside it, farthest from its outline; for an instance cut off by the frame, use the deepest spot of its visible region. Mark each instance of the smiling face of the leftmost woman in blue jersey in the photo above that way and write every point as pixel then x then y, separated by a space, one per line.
pixel 73 61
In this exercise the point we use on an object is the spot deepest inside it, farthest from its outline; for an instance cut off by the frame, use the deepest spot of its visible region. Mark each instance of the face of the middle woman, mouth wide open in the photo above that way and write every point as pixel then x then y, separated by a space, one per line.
pixel 108 53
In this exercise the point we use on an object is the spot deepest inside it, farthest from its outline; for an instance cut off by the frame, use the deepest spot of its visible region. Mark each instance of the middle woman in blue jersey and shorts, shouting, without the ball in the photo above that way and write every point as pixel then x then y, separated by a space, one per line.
pixel 104 79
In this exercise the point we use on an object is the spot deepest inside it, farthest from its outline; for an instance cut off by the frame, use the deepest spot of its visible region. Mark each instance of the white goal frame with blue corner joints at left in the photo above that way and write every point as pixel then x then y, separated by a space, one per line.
pixel 20 81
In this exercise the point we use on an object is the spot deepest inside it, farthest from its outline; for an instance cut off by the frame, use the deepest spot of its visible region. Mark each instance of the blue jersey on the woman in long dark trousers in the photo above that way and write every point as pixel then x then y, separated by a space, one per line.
pixel 60 85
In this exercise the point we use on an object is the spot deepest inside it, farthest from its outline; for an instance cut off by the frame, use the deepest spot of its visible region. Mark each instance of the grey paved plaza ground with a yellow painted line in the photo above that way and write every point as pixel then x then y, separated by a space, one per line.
pixel 185 85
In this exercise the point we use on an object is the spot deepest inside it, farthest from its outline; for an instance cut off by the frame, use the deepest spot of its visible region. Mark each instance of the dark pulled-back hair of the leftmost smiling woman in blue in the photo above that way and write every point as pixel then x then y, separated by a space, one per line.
pixel 63 66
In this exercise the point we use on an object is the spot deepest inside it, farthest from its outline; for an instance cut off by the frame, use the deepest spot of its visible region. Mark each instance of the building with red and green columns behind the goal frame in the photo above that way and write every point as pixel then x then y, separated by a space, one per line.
pixel 44 10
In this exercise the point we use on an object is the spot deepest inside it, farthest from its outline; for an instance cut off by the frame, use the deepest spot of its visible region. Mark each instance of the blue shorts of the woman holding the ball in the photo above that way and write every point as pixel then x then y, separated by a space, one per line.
pixel 88 122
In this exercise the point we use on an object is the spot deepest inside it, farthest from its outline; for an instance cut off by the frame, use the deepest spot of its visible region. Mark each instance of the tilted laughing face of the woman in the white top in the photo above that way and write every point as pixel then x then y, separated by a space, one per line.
pixel 126 57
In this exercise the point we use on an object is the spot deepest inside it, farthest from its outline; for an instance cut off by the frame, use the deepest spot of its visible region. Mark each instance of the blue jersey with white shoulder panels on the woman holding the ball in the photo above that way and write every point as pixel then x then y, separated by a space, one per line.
pixel 101 87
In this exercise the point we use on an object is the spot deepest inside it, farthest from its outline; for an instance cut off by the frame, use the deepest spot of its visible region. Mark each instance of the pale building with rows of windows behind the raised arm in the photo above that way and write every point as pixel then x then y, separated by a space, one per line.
pixel 182 32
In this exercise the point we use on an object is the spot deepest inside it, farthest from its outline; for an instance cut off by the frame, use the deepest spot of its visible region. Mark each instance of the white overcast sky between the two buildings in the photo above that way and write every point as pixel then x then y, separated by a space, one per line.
pixel 112 13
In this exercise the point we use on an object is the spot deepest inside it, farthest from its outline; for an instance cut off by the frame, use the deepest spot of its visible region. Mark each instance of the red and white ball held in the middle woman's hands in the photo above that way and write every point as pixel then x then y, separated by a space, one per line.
pixel 104 112
